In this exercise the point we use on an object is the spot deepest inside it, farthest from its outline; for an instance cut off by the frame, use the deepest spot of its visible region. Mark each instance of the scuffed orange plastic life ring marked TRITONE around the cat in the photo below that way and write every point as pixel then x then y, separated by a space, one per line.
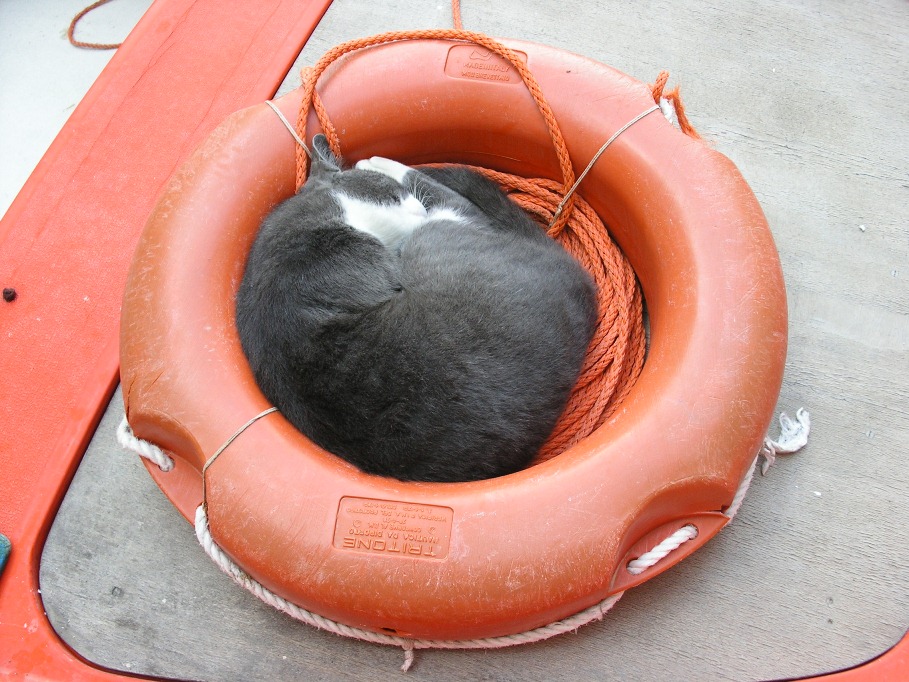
pixel 487 558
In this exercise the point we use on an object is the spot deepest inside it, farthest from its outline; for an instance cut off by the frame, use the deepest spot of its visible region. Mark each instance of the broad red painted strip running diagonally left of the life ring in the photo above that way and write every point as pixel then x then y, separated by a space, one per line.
pixel 65 245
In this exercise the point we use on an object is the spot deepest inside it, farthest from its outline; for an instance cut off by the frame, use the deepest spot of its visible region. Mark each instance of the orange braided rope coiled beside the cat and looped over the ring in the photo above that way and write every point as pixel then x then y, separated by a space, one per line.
pixel 616 353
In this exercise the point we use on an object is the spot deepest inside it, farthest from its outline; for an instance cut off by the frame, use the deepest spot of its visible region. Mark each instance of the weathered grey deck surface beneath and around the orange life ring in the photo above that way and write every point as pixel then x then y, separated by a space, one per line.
pixel 807 99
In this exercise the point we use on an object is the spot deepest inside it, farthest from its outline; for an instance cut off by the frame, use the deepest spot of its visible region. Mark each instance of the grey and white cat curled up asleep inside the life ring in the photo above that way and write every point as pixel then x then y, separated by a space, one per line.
pixel 416 323
